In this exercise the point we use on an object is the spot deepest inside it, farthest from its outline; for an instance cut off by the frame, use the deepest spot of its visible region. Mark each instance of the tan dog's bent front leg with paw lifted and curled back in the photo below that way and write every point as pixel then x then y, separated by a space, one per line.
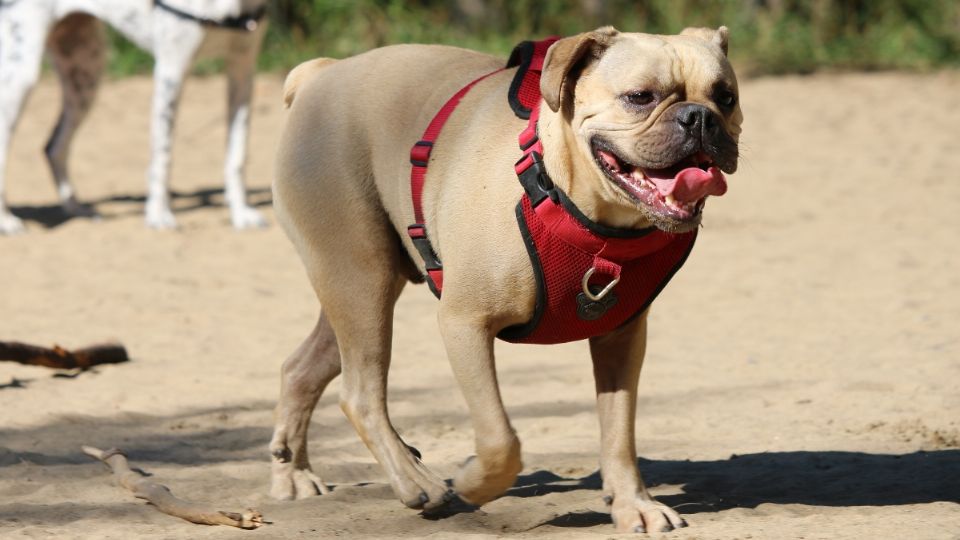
pixel 495 467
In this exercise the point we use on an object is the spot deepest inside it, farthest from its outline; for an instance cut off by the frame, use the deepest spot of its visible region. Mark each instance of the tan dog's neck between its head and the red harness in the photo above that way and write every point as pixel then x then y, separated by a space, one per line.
pixel 572 169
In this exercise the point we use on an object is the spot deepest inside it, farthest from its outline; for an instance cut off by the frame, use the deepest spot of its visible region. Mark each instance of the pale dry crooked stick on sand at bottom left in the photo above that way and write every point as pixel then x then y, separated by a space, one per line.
pixel 165 501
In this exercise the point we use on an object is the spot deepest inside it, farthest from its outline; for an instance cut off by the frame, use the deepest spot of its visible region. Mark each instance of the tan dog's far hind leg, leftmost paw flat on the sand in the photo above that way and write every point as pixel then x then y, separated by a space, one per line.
pixel 306 374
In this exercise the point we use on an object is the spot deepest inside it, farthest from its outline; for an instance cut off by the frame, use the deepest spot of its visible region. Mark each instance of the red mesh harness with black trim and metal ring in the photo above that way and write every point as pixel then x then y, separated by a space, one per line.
pixel 591 279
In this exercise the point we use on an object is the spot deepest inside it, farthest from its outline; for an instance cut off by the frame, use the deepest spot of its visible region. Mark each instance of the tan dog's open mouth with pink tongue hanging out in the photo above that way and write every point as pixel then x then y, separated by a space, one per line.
pixel 676 193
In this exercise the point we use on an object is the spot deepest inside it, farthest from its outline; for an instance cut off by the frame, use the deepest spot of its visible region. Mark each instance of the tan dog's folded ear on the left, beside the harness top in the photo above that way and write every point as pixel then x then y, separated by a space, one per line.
pixel 557 80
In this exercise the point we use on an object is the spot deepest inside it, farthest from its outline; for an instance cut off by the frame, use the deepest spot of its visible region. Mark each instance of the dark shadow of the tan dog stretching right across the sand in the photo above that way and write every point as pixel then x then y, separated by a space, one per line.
pixel 828 478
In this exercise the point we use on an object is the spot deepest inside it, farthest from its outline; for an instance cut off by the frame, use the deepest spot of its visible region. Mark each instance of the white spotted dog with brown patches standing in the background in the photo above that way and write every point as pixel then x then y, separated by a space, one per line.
pixel 72 34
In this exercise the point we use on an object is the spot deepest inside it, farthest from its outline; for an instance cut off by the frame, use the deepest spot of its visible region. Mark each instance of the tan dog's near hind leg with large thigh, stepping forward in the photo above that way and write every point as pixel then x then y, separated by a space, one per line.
pixel 326 200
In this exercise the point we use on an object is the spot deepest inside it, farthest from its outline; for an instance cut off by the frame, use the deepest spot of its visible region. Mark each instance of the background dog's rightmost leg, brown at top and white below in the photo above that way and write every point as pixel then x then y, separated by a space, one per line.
pixel 241 66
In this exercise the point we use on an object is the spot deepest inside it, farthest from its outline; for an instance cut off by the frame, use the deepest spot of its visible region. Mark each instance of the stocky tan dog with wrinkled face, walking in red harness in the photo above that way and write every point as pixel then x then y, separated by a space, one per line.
pixel 619 111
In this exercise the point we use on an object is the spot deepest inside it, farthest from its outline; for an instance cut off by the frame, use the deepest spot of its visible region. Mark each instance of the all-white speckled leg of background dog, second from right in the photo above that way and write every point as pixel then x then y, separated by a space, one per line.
pixel 175 44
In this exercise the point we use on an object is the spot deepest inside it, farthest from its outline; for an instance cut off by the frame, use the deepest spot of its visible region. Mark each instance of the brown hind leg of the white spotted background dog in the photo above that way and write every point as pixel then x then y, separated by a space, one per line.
pixel 77 49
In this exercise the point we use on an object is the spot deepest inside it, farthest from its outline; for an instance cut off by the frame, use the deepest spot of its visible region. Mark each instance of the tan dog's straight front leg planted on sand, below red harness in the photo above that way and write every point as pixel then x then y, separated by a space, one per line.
pixel 617 359
